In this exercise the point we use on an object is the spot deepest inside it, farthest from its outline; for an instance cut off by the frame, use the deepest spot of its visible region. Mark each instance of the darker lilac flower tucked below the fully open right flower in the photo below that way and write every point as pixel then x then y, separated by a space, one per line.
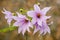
pixel 43 30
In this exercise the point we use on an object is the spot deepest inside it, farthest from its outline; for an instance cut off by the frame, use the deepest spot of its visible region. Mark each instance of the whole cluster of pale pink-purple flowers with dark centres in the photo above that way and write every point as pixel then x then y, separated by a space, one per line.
pixel 38 20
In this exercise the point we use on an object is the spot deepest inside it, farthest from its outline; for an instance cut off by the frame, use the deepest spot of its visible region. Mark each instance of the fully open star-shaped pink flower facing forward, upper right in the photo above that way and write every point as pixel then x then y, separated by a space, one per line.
pixel 38 15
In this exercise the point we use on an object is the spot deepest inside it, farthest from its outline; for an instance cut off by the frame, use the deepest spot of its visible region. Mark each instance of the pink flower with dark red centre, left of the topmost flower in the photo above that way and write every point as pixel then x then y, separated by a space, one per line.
pixel 22 22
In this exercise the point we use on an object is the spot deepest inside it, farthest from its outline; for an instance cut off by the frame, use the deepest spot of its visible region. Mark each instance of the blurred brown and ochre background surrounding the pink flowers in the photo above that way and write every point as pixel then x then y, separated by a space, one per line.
pixel 15 5
